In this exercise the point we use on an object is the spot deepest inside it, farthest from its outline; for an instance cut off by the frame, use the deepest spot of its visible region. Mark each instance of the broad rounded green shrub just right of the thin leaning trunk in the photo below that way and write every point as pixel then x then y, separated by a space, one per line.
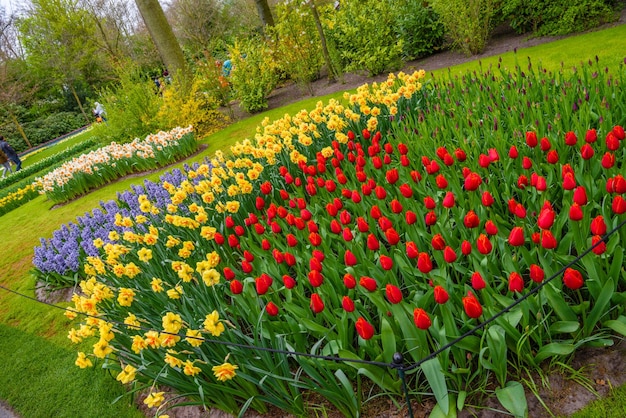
pixel 365 41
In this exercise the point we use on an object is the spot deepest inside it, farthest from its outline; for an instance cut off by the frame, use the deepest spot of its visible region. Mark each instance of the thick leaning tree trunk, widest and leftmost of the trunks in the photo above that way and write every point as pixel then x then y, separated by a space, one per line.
pixel 162 36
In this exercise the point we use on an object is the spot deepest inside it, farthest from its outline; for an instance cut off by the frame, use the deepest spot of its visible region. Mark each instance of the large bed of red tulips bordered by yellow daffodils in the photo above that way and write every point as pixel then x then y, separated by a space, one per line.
pixel 413 216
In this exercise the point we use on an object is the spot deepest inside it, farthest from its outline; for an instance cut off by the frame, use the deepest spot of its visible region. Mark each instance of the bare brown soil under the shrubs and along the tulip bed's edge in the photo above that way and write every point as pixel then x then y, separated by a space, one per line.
pixel 559 394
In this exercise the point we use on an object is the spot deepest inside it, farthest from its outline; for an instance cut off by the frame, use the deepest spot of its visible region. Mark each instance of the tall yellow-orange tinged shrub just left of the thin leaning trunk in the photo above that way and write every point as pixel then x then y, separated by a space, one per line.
pixel 296 44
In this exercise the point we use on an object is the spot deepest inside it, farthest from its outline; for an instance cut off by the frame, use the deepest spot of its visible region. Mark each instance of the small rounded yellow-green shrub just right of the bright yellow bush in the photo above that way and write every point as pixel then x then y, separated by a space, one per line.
pixel 253 76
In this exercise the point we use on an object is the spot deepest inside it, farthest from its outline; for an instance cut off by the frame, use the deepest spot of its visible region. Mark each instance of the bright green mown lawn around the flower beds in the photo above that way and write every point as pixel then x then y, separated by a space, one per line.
pixel 37 373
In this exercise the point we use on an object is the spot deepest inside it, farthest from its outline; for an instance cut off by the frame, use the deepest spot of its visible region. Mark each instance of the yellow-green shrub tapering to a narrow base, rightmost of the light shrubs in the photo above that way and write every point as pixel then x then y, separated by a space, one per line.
pixel 468 23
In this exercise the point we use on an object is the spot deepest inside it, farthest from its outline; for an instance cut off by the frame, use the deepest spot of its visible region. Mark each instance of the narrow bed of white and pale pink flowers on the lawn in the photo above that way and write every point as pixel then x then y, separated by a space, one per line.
pixel 101 166
